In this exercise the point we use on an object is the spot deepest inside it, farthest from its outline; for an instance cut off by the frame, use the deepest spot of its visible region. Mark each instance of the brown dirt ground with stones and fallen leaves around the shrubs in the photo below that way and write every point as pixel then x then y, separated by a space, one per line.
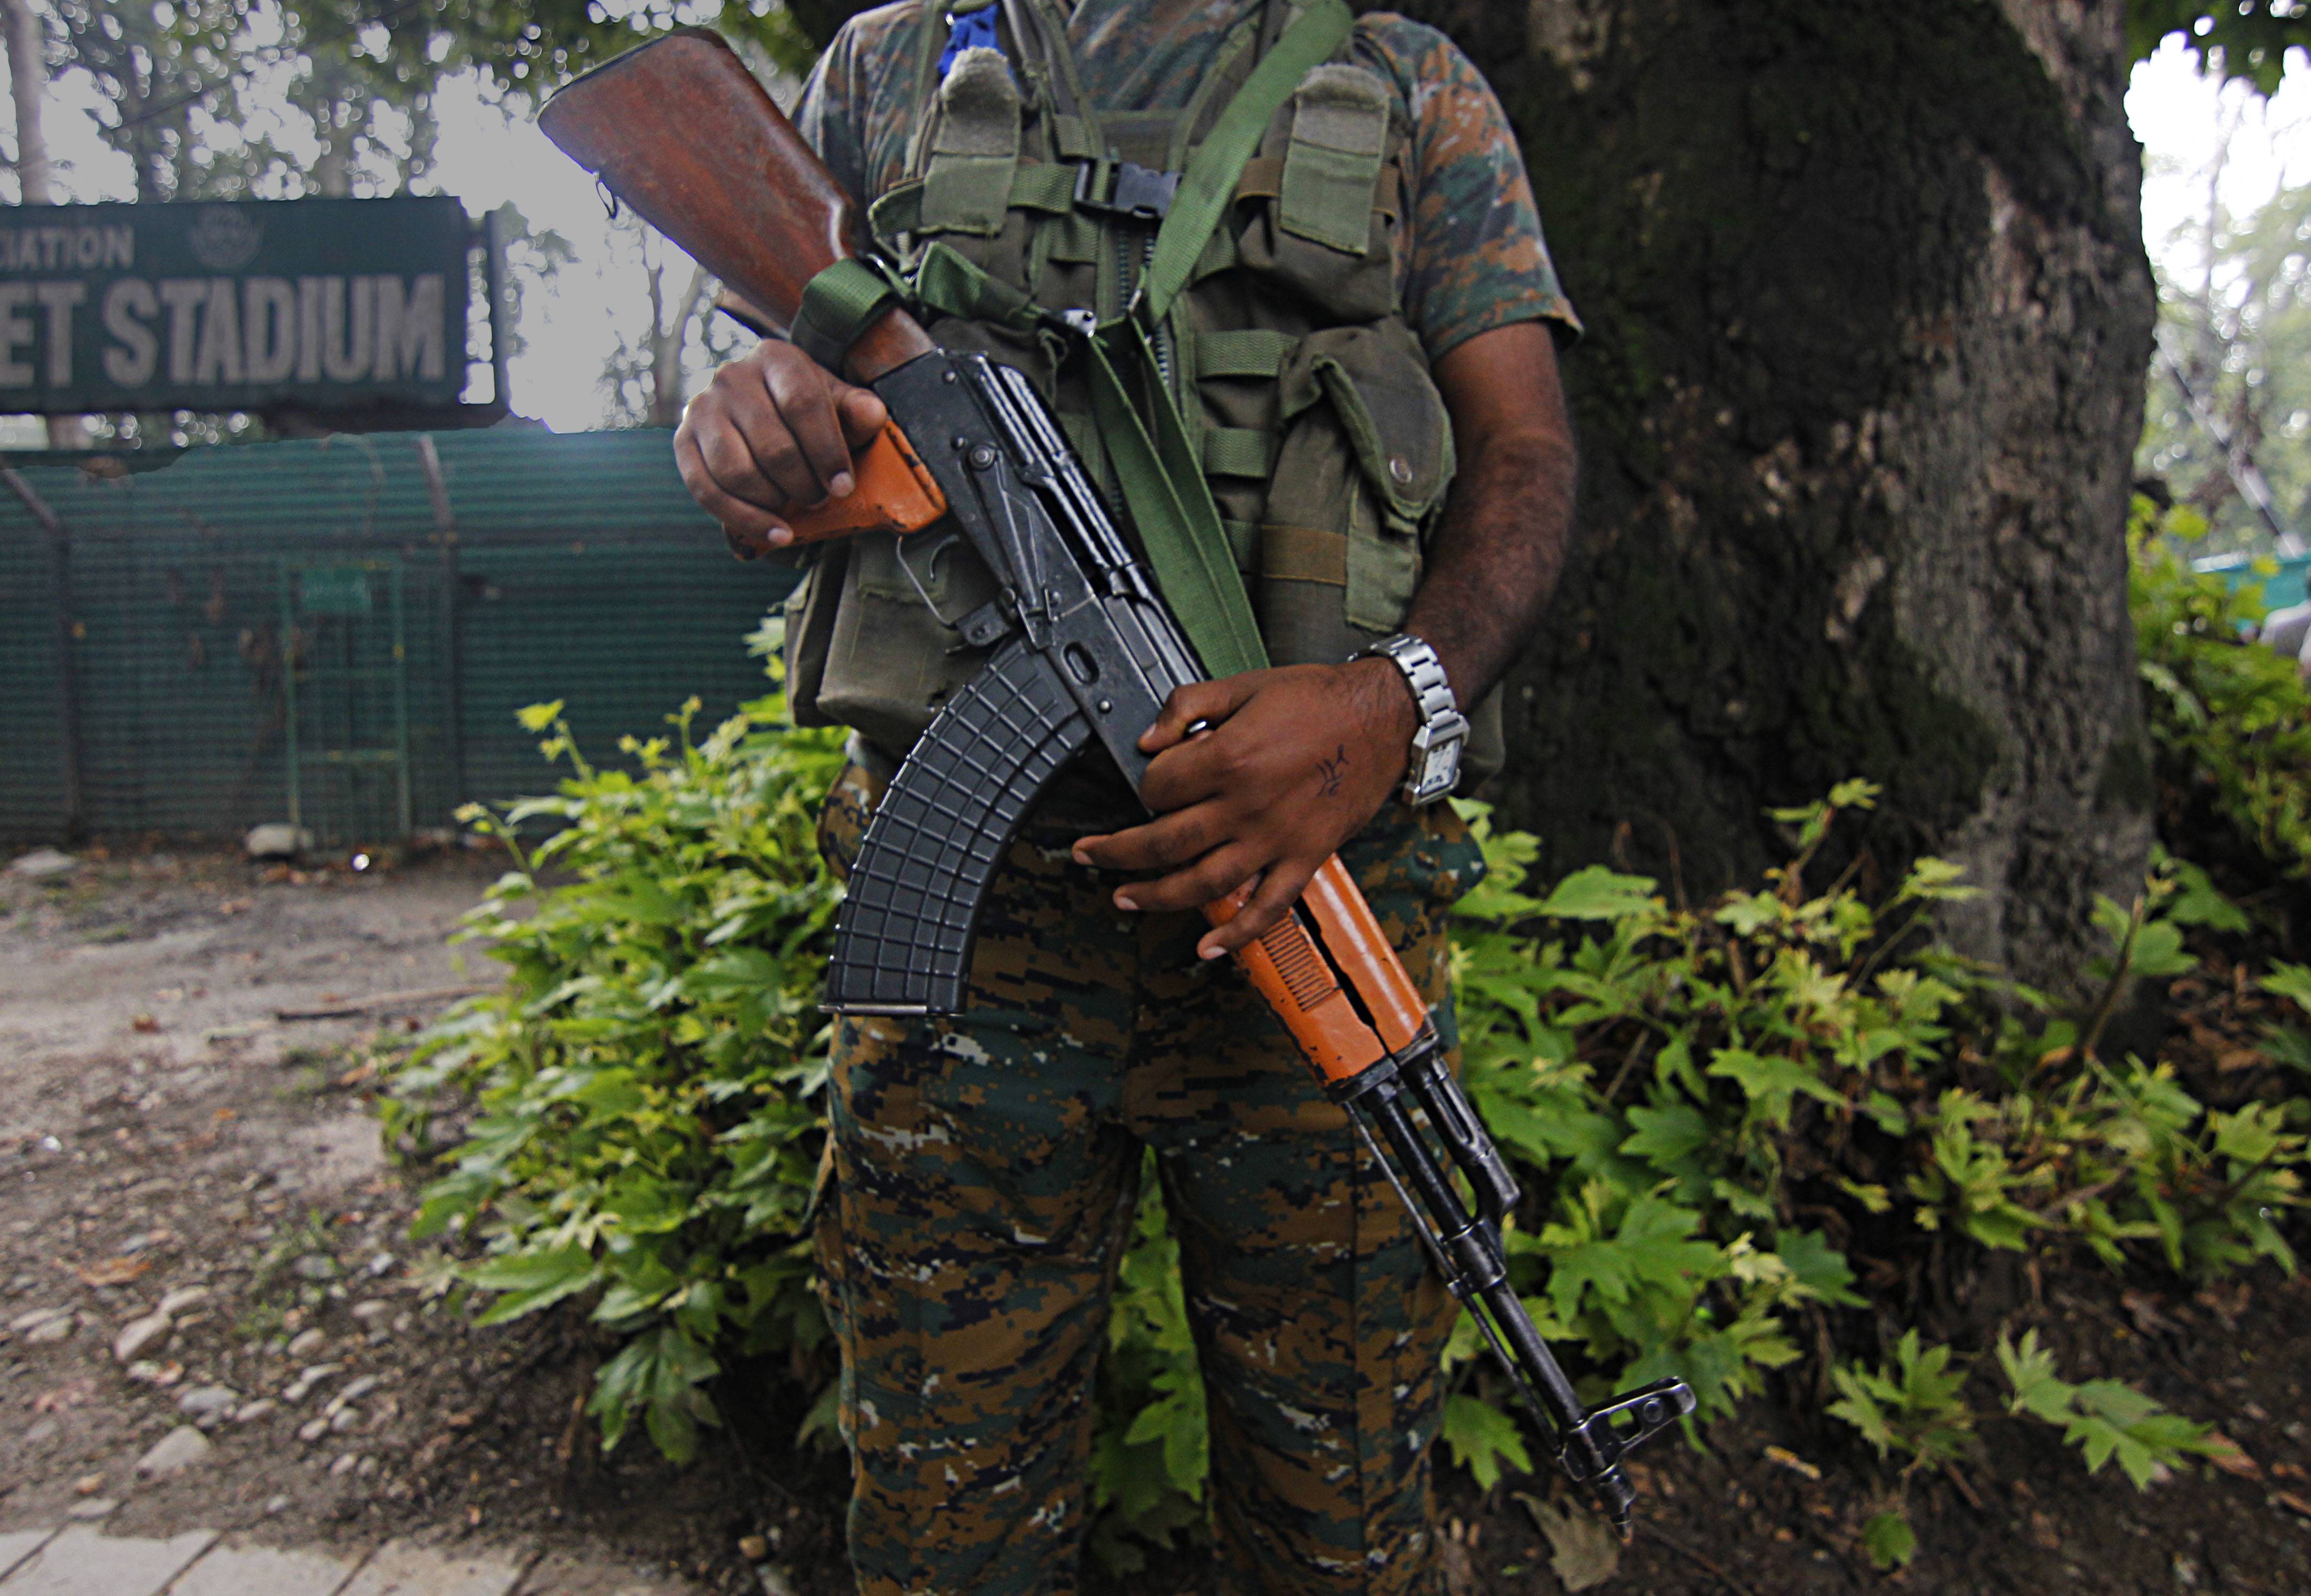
pixel 165 1133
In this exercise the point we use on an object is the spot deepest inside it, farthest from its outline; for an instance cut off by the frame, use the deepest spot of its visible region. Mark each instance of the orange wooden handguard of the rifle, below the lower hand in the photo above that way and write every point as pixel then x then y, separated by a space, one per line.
pixel 1302 976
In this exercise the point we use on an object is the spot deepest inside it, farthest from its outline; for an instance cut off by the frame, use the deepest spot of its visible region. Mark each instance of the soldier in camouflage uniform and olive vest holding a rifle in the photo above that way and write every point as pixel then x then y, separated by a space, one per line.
pixel 1374 308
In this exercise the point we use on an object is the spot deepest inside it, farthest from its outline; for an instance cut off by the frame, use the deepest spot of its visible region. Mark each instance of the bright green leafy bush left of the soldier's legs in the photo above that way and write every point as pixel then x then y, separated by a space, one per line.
pixel 646 1089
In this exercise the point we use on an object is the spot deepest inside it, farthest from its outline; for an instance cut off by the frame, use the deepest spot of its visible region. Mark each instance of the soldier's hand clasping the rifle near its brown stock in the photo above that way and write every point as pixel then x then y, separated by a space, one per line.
pixel 771 435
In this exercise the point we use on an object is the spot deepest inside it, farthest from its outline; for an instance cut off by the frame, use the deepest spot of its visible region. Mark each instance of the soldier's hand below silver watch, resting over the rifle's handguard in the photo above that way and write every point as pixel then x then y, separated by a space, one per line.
pixel 1295 763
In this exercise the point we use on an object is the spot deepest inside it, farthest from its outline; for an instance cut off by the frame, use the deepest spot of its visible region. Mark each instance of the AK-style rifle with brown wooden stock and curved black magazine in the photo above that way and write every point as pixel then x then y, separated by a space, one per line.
pixel 1085 648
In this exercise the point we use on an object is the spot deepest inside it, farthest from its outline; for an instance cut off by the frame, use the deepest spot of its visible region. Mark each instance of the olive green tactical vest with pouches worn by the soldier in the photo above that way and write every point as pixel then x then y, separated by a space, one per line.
pixel 1321 431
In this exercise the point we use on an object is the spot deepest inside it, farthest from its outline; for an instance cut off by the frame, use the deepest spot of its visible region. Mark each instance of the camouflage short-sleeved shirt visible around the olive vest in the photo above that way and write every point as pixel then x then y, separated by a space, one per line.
pixel 1478 260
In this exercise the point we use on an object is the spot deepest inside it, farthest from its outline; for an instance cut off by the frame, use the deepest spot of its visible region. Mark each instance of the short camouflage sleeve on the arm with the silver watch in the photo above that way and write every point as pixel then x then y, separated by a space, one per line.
pixel 1478 253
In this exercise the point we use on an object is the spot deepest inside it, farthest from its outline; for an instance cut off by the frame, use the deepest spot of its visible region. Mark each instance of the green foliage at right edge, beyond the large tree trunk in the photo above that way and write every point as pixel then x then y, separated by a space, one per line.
pixel 2231 717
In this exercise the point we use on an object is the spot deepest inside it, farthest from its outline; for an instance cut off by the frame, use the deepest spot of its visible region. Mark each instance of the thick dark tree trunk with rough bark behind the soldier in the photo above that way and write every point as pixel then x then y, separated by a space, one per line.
pixel 1868 322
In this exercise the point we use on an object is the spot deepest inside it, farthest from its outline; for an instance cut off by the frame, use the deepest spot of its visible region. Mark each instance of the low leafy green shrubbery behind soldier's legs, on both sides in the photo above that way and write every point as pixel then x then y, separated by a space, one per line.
pixel 1679 1087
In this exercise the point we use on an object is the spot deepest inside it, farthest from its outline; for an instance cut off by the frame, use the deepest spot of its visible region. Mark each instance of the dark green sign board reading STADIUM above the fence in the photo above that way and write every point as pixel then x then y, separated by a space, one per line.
pixel 235 306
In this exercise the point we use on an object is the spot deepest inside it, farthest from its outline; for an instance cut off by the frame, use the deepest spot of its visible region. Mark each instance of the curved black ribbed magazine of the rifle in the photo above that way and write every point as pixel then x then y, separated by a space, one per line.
pixel 902 941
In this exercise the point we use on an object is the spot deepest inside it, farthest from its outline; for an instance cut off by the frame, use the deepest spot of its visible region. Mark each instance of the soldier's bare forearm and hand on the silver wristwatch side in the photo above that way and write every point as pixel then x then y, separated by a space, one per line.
pixel 1305 756
